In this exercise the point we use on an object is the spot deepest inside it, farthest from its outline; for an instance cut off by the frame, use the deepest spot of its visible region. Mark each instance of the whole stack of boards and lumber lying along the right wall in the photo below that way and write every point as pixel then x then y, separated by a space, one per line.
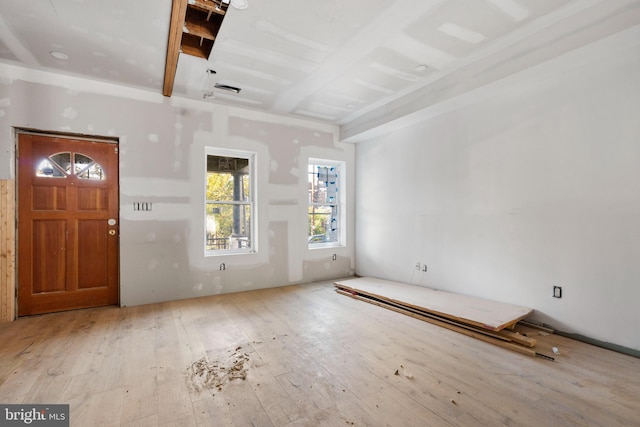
pixel 487 320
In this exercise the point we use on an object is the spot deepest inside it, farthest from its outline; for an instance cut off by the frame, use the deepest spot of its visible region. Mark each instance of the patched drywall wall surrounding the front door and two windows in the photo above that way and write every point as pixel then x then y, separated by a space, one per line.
pixel 162 160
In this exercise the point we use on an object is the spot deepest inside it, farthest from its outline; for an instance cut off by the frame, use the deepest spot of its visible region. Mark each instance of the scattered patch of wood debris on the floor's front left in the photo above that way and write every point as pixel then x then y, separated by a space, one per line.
pixel 204 374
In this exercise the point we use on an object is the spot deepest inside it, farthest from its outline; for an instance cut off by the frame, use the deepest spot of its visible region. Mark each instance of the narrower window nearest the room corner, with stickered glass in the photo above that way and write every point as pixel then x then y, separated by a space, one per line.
pixel 325 203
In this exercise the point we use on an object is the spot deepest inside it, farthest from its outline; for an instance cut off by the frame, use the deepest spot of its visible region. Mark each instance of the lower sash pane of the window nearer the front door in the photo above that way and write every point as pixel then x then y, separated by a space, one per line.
pixel 228 226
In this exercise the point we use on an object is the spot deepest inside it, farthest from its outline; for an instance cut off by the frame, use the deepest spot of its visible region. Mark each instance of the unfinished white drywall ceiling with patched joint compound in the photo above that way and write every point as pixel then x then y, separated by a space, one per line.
pixel 350 62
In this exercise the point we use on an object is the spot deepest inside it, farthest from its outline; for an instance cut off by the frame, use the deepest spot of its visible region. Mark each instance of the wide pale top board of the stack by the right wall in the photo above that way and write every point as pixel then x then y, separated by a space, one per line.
pixel 475 311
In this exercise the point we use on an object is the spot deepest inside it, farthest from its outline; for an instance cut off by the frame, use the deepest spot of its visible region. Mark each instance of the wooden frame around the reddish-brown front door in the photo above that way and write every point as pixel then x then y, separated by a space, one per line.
pixel 77 136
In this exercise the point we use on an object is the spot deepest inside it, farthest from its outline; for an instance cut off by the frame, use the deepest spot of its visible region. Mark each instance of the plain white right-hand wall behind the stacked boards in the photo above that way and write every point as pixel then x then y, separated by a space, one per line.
pixel 516 187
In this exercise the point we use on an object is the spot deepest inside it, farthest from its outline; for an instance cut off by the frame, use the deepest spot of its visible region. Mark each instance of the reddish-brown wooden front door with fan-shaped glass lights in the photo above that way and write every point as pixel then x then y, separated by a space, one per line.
pixel 67 223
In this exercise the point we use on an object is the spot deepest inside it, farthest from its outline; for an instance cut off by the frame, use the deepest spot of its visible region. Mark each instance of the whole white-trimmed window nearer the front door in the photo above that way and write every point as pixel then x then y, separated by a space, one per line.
pixel 230 202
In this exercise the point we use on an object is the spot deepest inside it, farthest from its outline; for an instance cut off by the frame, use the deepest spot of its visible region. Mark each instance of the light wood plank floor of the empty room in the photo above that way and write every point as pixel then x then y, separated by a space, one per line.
pixel 316 358
